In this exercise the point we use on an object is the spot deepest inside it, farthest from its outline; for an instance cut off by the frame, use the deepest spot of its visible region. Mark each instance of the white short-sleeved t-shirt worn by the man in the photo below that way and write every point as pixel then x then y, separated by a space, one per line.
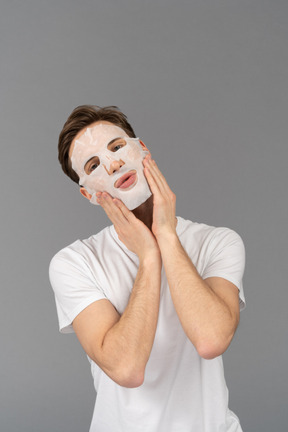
pixel 182 392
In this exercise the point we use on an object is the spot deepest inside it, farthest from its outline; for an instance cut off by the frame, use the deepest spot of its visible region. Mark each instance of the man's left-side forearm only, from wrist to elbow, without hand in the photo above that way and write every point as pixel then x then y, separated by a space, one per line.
pixel 127 345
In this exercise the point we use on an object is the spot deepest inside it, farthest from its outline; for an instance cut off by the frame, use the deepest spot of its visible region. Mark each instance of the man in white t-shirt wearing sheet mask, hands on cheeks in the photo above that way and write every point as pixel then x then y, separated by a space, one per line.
pixel 153 299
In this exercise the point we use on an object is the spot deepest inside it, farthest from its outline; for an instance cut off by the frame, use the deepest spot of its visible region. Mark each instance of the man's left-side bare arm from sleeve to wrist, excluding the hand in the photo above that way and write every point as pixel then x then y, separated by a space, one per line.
pixel 121 345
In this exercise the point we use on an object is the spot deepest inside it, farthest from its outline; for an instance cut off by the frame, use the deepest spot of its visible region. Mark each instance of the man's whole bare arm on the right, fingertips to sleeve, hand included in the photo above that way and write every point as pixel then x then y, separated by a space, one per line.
pixel 208 310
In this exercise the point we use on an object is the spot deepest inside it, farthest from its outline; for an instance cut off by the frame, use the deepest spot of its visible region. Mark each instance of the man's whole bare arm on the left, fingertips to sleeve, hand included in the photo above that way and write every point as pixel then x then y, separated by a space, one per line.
pixel 121 345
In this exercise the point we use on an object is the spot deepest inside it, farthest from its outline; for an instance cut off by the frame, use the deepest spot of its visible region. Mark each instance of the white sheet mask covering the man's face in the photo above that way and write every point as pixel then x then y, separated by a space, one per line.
pixel 114 161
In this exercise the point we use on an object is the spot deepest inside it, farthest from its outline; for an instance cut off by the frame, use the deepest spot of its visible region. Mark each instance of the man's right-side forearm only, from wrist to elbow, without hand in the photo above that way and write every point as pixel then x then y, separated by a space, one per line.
pixel 204 316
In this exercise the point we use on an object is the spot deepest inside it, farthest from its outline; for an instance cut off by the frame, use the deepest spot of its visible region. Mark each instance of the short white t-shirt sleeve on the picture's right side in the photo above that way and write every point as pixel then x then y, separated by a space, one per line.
pixel 227 259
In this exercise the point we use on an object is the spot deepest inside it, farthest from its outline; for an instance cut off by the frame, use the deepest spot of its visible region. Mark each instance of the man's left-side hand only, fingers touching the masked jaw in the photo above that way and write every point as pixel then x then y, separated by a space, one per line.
pixel 131 231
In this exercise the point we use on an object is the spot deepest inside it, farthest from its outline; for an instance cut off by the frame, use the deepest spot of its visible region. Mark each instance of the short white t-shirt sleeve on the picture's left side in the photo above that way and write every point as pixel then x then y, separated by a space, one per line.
pixel 74 286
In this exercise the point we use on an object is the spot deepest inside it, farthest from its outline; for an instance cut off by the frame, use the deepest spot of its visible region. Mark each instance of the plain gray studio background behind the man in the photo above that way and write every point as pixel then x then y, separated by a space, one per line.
pixel 204 84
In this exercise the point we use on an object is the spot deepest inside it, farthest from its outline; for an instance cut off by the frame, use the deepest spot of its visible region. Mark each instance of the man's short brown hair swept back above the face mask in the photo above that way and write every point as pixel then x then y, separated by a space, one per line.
pixel 81 117
